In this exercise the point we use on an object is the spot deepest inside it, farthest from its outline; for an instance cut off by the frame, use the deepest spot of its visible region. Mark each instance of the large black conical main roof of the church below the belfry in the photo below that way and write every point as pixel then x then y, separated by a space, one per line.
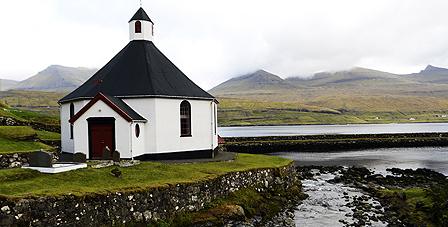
pixel 139 70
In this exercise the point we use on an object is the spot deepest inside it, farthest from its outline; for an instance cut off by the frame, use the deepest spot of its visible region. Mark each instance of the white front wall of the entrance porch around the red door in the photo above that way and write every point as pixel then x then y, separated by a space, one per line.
pixel 122 130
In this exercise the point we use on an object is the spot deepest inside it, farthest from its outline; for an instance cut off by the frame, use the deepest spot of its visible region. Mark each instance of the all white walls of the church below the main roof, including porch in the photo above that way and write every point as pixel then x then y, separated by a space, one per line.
pixel 161 132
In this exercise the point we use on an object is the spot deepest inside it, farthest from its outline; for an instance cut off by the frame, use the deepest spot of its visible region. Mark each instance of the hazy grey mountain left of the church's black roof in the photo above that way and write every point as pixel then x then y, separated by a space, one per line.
pixel 56 78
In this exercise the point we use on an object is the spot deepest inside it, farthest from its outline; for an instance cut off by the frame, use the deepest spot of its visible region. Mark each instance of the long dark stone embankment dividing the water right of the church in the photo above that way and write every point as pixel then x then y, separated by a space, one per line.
pixel 270 144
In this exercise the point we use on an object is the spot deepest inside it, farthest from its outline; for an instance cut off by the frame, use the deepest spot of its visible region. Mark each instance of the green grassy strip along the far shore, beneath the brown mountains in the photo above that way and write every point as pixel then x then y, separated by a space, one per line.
pixel 237 112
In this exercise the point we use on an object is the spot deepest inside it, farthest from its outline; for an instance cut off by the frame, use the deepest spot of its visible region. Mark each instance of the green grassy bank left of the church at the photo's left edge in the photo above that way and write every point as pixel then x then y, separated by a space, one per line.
pixel 18 139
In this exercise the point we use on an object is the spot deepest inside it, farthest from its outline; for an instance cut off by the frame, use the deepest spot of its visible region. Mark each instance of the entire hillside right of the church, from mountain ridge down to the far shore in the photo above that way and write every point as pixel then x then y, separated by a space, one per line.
pixel 358 95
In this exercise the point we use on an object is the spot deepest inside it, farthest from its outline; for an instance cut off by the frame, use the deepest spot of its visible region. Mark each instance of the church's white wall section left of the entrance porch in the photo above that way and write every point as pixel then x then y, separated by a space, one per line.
pixel 67 144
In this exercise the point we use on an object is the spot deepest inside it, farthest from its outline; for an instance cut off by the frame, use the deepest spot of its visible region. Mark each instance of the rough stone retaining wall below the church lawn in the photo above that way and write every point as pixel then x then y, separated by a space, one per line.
pixel 141 206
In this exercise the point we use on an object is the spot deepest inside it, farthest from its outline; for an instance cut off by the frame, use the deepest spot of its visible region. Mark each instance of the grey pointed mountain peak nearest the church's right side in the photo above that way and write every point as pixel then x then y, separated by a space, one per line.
pixel 253 82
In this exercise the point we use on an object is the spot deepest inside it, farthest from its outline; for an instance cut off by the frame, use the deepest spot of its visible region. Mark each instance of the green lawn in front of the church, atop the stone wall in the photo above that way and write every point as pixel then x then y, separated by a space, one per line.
pixel 24 183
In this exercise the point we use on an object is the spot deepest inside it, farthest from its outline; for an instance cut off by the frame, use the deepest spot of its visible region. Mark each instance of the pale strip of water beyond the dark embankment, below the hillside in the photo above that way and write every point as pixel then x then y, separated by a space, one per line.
pixel 251 131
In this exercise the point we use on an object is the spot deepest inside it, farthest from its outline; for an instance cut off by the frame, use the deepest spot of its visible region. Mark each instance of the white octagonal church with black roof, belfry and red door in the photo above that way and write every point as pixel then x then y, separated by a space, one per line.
pixel 141 105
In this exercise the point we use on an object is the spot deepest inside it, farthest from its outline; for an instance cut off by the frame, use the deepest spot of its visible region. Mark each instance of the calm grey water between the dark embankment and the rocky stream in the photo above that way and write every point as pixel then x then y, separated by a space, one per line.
pixel 435 158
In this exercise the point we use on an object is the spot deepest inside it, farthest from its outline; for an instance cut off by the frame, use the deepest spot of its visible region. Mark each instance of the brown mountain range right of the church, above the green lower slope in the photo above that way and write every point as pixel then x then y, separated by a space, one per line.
pixel 357 89
